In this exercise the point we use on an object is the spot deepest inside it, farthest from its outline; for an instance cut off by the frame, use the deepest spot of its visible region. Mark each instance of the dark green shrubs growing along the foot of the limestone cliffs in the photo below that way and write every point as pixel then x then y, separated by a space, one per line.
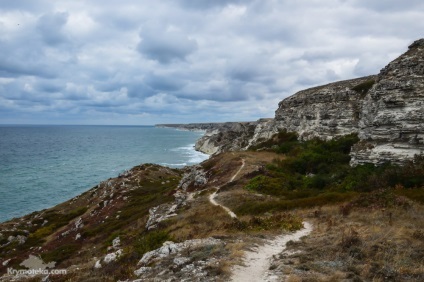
pixel 316 172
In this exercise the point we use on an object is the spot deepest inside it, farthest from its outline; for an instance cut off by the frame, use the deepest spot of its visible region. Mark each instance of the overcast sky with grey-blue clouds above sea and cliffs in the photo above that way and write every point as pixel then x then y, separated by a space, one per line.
pixel 181 61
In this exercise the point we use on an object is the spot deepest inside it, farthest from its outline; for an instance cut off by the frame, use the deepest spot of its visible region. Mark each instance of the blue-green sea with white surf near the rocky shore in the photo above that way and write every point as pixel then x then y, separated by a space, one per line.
pixel 44 165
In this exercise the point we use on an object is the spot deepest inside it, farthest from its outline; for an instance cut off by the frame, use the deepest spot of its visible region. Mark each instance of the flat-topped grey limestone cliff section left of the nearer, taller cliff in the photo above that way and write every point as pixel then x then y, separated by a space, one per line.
pixel 324 111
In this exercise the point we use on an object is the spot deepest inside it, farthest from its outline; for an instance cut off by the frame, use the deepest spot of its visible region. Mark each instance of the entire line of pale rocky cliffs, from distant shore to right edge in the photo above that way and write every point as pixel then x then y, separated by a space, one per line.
pixel 386 110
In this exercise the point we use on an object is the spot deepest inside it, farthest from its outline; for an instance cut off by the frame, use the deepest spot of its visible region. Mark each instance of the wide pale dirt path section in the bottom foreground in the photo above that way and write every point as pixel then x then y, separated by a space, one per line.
pixel 257 262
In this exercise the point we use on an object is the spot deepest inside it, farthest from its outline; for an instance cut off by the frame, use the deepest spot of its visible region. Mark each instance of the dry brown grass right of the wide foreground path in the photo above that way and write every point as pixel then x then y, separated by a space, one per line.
pixel 361 246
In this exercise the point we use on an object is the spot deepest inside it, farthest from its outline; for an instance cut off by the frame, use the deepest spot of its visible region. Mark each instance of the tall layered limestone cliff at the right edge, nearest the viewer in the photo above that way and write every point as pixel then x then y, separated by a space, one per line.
pixel 391 126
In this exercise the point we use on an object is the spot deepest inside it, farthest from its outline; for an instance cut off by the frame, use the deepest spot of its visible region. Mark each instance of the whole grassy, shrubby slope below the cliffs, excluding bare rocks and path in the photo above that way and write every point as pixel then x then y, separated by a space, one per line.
pixel 283 182
